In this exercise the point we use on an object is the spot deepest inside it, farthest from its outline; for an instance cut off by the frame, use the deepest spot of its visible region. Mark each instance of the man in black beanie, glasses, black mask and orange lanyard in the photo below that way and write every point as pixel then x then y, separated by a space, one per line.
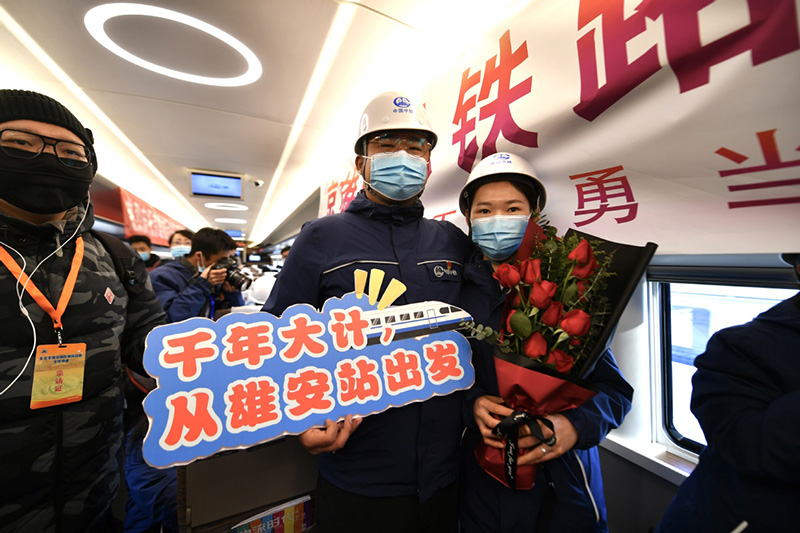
pixel 60 444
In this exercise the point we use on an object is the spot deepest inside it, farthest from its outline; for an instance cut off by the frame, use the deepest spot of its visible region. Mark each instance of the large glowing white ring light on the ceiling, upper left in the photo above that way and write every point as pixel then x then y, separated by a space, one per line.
pixel 96 18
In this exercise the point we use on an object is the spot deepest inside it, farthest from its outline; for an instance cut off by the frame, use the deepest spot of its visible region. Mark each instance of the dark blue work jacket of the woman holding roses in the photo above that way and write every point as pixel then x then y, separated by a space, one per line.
pixel 486 505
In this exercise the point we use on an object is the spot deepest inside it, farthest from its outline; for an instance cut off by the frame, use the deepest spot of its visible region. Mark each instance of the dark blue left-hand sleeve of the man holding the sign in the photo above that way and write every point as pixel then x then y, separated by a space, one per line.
pixel 299 279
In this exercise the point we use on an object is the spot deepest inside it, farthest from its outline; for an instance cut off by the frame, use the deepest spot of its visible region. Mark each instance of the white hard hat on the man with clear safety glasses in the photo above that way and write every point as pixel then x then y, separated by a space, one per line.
pixel 393 111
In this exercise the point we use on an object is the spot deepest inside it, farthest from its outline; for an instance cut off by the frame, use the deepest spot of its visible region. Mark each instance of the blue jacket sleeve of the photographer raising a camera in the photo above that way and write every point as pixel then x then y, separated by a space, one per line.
pixel 180 299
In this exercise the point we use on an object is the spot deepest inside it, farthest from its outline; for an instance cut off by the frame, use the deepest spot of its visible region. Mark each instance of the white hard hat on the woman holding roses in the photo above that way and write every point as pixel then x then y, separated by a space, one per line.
pixel 503 166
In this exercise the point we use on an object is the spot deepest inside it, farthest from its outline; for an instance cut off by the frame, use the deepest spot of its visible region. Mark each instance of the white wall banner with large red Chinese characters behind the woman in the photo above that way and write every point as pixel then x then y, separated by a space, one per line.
pixel 671 122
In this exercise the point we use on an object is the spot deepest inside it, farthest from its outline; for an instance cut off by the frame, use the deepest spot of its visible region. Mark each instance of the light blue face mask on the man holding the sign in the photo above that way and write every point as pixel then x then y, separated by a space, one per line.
pixel 398 175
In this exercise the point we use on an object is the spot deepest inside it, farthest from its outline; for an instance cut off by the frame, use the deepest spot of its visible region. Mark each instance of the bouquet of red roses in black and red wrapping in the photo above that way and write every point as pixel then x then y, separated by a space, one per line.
pixel 565 298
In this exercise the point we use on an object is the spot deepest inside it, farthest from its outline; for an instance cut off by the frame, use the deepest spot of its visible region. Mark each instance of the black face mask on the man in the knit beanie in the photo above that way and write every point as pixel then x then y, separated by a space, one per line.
pixel 42 185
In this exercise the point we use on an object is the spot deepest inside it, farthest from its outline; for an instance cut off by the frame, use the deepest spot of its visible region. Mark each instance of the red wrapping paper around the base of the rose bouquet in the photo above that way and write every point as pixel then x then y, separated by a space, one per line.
pixel 529 386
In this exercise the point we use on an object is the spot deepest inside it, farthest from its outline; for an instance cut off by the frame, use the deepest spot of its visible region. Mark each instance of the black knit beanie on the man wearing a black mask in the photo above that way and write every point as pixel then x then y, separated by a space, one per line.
pixel 28 105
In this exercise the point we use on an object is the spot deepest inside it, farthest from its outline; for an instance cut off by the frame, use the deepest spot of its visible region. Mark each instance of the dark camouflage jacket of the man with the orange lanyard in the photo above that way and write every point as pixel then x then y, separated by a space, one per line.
pixel 60 466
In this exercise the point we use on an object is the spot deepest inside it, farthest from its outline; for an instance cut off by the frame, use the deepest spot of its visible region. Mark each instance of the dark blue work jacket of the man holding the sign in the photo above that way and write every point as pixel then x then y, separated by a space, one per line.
pixel 407 450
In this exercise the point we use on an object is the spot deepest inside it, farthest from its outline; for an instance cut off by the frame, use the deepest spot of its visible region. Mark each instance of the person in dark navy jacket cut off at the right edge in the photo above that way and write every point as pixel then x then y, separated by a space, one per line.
pixel 746 396
